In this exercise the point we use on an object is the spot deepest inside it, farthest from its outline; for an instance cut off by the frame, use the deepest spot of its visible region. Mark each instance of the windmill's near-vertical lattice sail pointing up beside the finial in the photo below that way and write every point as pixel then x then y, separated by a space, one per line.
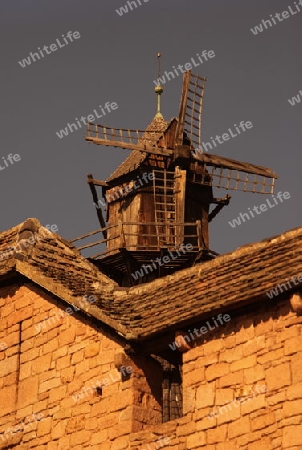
pixel 190 110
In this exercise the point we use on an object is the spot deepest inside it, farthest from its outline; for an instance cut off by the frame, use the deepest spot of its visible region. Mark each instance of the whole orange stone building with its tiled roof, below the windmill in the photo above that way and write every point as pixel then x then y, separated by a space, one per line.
pixel 79 376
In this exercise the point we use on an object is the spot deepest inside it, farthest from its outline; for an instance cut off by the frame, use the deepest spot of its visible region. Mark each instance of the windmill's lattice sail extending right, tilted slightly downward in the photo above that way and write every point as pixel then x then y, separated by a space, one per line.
pixel 235 175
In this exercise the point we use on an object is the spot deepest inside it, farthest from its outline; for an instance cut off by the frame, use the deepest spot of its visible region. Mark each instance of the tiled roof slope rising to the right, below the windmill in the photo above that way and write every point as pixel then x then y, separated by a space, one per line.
pixel 227 282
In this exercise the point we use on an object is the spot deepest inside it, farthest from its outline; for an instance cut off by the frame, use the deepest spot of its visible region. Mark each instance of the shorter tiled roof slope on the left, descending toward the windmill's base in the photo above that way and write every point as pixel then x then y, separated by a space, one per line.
pixel 54 264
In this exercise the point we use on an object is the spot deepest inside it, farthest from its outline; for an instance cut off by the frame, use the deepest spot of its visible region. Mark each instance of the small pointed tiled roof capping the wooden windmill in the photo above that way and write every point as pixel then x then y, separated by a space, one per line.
pixel 154 130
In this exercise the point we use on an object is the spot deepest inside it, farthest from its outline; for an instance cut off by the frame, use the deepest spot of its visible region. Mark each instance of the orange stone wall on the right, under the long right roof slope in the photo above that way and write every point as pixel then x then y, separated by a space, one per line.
pixel 248 374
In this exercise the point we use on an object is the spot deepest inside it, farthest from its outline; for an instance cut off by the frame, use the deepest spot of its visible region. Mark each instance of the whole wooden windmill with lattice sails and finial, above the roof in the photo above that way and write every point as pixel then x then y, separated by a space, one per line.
pixel 159 198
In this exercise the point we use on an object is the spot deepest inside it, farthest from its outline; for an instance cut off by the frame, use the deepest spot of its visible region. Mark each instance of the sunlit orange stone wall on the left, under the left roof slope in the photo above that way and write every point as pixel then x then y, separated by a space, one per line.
pixel 52 365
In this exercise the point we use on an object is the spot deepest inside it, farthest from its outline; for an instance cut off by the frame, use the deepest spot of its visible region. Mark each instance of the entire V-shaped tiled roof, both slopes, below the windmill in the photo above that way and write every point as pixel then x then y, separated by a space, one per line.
pixel 142 312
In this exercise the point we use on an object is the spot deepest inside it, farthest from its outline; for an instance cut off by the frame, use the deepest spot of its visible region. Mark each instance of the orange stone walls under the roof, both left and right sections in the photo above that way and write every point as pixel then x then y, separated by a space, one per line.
pixel 245 374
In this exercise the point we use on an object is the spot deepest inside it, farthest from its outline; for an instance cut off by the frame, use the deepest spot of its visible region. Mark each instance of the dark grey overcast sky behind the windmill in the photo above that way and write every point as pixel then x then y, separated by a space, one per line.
pixel 250 78
